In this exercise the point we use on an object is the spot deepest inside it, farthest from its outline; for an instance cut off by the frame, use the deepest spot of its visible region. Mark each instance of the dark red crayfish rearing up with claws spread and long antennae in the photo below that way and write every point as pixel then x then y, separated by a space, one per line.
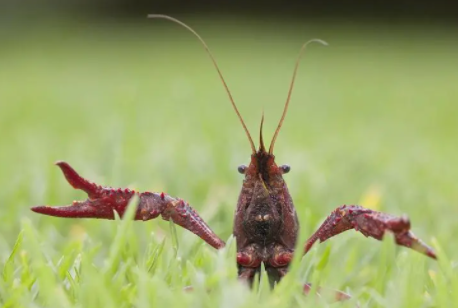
pixel 266 225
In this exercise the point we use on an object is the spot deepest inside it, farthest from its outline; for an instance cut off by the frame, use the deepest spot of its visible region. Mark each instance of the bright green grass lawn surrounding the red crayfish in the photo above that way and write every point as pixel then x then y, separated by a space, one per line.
pixel 373 117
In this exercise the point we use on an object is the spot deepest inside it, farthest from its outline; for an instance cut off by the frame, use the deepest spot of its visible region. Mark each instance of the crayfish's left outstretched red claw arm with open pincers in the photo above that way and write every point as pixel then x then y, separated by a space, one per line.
pixel 104 201
